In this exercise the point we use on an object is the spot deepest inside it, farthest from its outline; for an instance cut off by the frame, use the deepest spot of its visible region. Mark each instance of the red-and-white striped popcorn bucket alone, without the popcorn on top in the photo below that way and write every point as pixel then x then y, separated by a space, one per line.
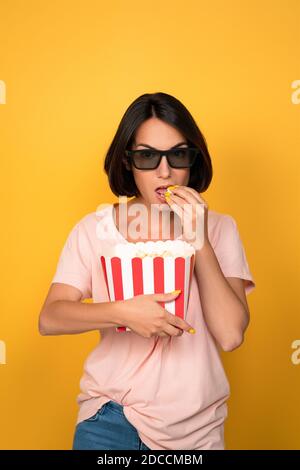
pixel 127 277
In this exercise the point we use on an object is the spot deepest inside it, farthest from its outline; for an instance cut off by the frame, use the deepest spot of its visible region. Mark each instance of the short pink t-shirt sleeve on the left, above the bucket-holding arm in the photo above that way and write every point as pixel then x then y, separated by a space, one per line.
pixel 74 264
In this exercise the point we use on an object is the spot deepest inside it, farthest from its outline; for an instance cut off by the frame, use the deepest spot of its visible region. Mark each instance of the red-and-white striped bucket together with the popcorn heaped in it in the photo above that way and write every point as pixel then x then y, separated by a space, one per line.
pixel 150 267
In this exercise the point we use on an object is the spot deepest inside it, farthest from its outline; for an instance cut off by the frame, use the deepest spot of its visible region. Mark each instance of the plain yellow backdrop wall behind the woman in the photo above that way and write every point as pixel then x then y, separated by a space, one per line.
pixel 71 69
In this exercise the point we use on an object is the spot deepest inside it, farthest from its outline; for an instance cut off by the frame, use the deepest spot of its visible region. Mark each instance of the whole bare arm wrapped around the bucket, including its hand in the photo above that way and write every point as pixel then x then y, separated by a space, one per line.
pixel 64 313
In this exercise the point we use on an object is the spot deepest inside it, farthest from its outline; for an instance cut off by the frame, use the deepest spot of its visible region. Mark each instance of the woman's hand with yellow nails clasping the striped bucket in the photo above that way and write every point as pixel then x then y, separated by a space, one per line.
pixel 143 315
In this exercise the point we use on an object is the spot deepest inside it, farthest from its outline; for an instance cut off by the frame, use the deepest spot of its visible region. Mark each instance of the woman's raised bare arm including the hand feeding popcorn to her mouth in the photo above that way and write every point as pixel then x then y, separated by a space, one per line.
pixel 223 299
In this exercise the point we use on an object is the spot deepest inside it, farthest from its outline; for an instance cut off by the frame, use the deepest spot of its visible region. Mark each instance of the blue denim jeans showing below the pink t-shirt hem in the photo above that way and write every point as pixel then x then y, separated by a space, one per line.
pixel 108 429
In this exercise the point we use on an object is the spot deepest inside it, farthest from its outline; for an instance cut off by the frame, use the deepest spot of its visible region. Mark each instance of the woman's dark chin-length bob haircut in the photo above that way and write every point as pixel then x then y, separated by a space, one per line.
pixel 170 110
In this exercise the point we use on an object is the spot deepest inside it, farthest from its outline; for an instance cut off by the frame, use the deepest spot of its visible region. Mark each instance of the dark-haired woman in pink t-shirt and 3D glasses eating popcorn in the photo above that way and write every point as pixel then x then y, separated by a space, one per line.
pixel 156 386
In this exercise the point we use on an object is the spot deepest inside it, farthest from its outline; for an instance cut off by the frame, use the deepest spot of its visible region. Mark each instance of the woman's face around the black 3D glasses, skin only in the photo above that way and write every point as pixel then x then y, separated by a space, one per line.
pixel 159 135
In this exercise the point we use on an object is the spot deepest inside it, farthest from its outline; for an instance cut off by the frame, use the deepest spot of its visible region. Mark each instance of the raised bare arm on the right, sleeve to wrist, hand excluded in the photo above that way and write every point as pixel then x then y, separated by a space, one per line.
pixel 223 300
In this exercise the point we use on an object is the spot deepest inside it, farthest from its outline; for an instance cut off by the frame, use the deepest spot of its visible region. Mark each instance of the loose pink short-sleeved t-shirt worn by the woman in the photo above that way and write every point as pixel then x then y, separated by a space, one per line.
pixel 173 389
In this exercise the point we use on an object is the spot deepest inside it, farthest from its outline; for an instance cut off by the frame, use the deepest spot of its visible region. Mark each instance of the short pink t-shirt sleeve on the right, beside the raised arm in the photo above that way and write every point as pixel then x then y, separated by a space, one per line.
pixel 231 254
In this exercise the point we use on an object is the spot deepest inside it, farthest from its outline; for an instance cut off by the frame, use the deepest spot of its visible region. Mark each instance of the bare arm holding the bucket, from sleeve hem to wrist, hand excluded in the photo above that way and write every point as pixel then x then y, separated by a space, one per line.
pixel 64 313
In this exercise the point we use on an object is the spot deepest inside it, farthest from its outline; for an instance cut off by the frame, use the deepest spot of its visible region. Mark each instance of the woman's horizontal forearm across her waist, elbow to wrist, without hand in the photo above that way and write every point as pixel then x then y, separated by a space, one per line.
pixel 63 317
